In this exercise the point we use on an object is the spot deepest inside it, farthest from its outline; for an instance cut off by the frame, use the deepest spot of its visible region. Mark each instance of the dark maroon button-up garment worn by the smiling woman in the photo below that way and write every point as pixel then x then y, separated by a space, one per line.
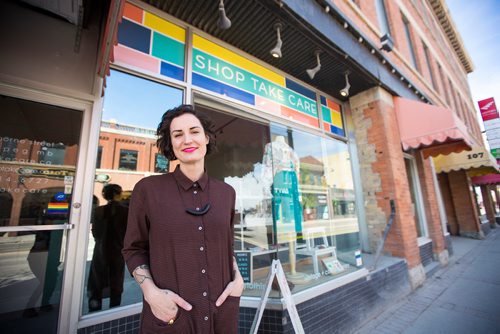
pixel 187 254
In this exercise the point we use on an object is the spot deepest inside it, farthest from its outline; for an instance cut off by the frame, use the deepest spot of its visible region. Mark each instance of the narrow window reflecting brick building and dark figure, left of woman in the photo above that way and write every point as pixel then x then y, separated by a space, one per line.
pixel 127 152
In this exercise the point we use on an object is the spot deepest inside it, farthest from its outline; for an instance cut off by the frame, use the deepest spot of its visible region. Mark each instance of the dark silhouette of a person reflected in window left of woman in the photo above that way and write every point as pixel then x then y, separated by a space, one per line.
pixel 107 268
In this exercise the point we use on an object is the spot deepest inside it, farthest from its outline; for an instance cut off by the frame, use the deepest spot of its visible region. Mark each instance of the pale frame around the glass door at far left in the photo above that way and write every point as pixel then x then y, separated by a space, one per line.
pixel 81 204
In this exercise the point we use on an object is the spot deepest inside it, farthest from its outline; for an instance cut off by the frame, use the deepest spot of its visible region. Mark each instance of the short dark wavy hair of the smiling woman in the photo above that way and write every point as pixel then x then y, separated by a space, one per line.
pixel 164 142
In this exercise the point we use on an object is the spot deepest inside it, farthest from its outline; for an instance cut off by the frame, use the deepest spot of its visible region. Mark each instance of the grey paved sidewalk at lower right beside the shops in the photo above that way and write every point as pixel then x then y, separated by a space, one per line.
pixel 463 297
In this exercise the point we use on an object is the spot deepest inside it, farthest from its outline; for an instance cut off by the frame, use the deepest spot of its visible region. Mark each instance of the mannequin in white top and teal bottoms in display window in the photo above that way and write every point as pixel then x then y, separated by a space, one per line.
pixel 284 163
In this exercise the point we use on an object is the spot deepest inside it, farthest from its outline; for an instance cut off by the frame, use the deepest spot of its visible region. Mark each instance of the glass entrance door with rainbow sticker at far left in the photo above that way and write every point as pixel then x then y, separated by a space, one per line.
pixel 39 145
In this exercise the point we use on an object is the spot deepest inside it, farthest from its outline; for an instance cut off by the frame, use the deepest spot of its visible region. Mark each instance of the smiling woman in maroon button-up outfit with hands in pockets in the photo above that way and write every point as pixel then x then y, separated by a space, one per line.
pixel 179 240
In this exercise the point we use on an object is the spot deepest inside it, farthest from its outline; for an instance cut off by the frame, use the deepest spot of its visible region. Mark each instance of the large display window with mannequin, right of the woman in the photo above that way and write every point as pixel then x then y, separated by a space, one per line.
pixel 294 201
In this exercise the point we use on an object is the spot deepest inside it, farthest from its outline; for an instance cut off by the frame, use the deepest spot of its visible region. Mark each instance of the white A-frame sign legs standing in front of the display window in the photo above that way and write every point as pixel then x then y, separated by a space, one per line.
pixel 277 271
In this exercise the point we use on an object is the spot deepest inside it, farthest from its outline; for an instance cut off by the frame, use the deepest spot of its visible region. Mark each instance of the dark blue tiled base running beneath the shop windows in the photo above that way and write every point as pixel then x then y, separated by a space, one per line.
pixel 339 311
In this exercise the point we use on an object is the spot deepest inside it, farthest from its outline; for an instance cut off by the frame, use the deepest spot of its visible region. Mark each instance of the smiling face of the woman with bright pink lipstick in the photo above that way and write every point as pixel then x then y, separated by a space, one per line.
pixel 188 138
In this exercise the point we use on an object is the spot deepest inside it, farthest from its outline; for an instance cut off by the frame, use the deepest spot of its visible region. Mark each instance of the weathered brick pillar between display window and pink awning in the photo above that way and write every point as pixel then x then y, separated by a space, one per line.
pixel 383 173
